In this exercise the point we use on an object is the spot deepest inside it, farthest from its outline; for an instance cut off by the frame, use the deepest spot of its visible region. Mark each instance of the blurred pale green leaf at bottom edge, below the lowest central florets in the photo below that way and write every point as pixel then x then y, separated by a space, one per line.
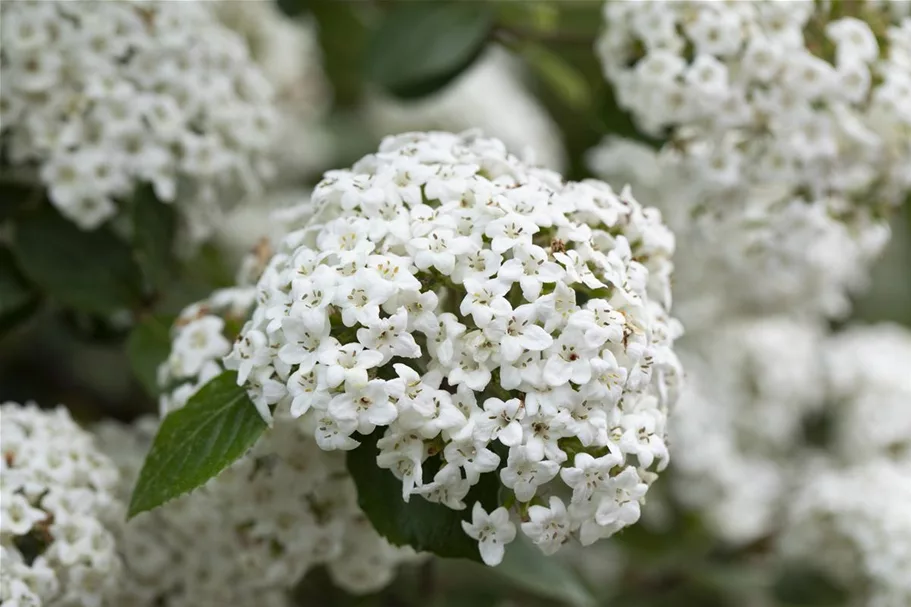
pixel 529 569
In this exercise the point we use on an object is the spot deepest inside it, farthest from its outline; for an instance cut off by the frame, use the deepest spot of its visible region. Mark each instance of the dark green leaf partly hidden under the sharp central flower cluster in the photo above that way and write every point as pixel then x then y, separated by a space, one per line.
pixel 423 525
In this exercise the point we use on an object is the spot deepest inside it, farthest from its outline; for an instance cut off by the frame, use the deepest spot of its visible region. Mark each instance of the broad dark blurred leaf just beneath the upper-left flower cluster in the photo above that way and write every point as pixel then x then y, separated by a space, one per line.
pixel 91 271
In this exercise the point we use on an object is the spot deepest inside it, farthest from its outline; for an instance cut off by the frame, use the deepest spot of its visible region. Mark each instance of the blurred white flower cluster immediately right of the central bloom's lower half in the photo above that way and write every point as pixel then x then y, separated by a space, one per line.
pixel 738 429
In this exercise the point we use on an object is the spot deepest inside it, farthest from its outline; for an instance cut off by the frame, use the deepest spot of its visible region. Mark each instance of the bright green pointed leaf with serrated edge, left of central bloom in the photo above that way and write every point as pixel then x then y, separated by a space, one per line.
pixel 215 428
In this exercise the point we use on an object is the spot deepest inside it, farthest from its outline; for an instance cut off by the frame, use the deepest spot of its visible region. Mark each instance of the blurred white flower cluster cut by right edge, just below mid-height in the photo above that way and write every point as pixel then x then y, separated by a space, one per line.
pixel 870 389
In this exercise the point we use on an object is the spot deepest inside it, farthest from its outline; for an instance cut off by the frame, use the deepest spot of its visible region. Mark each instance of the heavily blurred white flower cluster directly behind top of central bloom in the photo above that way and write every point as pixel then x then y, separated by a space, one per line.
pixel 491 96
